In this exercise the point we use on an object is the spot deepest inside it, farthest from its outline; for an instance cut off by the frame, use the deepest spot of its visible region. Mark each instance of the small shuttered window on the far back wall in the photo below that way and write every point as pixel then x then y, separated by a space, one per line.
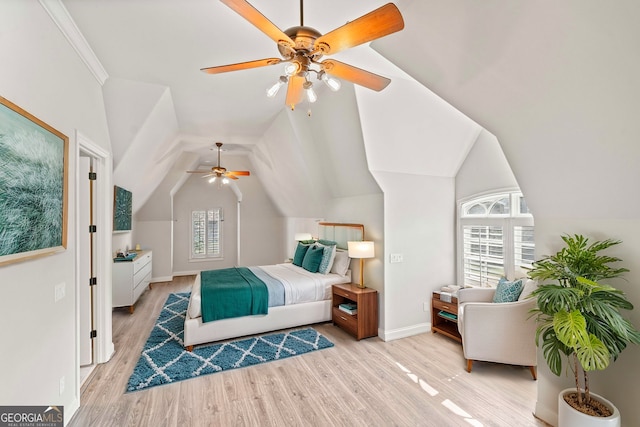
pixel 206 234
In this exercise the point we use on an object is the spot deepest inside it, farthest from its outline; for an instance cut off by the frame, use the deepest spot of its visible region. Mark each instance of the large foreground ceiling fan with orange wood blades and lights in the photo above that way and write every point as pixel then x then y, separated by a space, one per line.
pixel 302 48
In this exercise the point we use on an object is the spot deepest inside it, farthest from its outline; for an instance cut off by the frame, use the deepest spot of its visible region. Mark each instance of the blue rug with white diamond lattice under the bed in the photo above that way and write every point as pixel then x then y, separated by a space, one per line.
pixel 164 359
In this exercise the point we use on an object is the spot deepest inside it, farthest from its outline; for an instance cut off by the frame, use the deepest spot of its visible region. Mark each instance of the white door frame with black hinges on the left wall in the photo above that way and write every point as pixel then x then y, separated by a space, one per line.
pixel 103 163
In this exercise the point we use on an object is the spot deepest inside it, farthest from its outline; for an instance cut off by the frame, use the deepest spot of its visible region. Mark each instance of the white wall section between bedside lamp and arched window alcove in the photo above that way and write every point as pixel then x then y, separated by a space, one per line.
pixel 419 216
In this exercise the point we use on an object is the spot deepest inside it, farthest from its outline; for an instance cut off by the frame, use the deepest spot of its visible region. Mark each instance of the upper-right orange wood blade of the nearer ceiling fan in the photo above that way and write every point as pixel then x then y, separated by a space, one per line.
pixel 378 23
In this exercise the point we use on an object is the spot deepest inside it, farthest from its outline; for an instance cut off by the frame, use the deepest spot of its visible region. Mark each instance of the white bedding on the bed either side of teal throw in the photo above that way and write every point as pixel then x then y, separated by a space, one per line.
pixel 300 285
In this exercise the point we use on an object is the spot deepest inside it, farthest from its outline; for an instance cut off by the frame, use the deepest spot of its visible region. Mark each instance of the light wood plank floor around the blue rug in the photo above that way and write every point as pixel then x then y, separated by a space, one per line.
pixel 416 381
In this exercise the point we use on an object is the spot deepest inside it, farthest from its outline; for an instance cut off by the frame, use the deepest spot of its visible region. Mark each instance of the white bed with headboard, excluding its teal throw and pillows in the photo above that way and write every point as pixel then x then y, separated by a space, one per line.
pixel 307 295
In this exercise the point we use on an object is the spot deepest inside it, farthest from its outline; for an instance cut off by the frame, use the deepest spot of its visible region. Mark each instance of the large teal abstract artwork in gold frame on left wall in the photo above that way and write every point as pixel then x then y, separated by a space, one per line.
pixel 34 178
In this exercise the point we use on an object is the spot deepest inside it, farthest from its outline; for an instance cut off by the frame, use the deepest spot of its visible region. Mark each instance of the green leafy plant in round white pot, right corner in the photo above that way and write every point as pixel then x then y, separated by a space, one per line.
pixel 579 319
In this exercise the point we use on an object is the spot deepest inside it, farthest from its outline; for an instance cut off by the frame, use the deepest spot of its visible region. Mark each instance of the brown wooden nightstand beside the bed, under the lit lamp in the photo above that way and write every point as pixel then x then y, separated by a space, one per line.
pixel 364 323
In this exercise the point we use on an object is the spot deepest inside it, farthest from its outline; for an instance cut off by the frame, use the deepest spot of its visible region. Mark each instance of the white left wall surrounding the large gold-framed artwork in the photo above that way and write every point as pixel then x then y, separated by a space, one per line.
pixel 44 76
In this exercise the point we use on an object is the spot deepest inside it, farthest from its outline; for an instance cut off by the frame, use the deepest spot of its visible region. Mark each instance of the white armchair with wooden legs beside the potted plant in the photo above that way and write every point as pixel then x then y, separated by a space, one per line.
pixel 497 332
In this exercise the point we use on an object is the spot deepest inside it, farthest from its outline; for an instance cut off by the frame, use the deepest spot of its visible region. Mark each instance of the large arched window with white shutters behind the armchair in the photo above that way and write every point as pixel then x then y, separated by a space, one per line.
pixel 495 239
